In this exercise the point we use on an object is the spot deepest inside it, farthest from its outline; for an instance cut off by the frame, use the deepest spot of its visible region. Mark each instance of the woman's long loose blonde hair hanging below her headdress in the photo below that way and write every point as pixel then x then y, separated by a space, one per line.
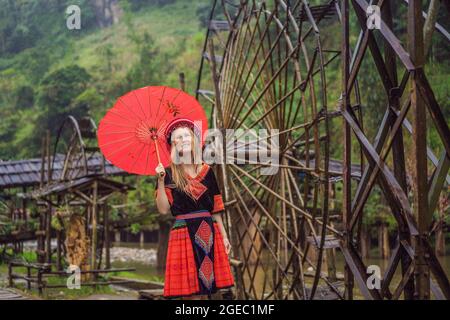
pixel 179 177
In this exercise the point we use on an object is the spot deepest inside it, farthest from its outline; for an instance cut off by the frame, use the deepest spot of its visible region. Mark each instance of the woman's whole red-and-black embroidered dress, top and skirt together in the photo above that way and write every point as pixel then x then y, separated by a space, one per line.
pixel 197 263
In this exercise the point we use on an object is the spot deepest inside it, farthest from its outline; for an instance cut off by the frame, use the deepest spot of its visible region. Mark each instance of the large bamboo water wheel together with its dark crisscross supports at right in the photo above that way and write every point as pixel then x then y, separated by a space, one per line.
pixel 264 67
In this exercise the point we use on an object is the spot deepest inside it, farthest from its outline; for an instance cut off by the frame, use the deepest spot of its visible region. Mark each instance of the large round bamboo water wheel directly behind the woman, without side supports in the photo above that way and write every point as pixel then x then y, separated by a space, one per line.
pixel 269 69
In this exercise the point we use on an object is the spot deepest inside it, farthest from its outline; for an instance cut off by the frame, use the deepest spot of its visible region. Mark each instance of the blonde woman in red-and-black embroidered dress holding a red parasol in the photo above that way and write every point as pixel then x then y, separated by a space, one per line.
pixel 197 257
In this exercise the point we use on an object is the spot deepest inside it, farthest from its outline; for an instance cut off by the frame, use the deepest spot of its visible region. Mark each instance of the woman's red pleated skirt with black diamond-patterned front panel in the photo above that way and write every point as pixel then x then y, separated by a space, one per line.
pixel 197 263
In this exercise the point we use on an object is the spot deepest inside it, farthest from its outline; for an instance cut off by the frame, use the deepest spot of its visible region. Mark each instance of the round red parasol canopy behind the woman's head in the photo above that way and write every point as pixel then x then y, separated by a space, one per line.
pixel 131 134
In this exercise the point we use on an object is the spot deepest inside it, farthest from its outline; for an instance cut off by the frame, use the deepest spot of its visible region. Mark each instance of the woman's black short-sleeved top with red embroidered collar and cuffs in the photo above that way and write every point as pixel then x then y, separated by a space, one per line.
pixel 204 188
